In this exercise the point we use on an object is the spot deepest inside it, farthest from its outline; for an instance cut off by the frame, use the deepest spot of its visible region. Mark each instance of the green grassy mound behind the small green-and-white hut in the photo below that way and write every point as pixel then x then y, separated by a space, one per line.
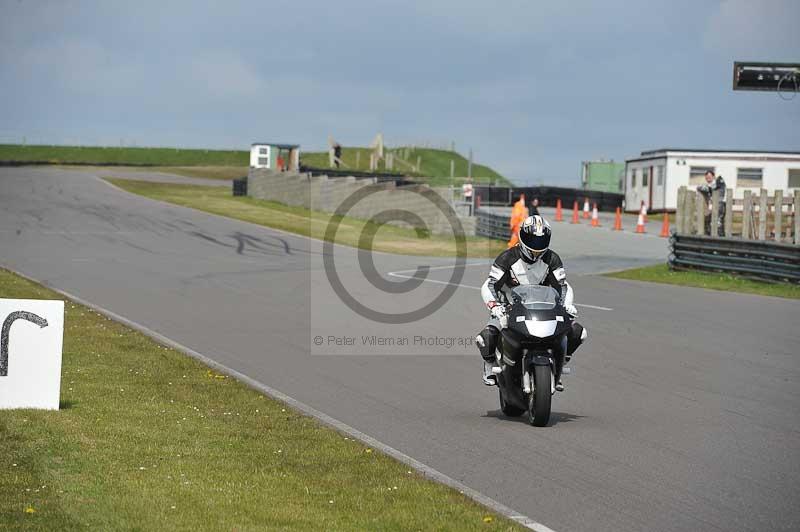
pixel 434 164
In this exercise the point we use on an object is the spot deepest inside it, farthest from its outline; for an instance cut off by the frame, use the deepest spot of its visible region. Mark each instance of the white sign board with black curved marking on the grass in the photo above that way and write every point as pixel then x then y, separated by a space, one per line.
pixel 31 336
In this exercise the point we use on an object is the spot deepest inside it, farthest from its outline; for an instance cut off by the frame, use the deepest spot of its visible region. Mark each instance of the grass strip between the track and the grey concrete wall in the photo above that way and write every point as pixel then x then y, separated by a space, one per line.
pixel 388 239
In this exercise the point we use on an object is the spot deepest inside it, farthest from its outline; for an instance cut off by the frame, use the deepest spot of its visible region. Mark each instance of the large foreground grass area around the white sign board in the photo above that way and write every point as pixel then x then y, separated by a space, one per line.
pixel 150 439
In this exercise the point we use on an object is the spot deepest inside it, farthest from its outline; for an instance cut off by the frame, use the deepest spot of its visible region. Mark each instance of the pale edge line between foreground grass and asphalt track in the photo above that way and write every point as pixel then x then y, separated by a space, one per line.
pixel 426 470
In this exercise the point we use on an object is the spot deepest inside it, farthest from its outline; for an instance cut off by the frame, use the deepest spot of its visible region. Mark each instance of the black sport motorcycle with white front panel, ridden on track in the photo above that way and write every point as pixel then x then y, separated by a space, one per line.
pixel 531 352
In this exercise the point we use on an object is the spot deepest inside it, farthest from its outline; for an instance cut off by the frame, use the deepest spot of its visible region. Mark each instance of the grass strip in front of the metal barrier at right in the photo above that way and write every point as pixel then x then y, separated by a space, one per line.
pixel 715 281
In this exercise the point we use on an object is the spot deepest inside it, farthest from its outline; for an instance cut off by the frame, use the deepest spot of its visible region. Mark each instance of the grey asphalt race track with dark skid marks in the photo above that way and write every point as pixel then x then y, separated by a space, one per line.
pixel 682 413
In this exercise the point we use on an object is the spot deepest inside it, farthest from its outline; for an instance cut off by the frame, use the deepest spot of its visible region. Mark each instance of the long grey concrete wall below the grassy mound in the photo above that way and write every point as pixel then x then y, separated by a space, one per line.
pixel 323 193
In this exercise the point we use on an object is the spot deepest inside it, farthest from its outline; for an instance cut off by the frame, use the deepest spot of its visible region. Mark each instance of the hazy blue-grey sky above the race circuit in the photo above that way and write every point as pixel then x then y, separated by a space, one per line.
pixel 533 87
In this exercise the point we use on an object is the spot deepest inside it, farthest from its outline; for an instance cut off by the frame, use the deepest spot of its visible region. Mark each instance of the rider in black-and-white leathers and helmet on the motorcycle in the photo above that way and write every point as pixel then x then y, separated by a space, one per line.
pixel 531 261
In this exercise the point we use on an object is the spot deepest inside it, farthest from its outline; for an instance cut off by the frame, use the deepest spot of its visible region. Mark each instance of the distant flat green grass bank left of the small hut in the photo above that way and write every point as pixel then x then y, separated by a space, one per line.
pixel 123 156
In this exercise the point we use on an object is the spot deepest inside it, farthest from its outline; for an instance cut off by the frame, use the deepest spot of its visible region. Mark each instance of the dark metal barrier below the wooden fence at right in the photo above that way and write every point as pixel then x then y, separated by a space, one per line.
pixel 762 260
